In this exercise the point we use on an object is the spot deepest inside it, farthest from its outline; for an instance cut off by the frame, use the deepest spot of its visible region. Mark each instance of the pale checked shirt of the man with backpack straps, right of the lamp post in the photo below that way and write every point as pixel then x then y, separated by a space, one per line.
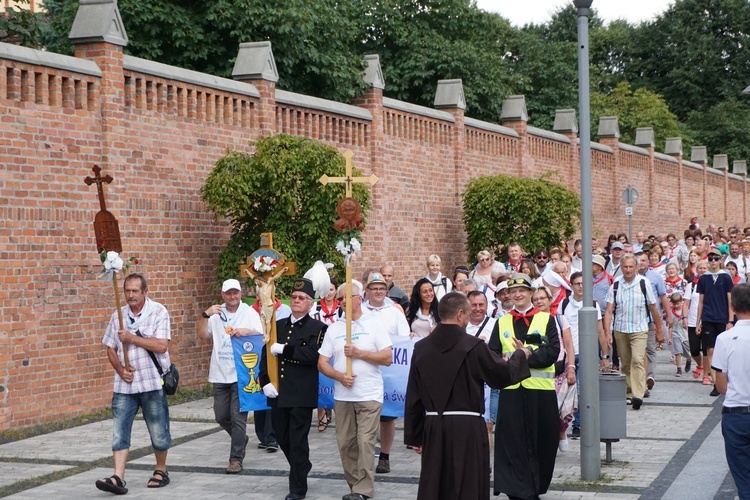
pixel 631 315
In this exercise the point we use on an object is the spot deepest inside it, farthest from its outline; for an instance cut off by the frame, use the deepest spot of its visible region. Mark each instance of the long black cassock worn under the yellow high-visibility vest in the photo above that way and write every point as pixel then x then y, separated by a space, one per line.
pixel 528 425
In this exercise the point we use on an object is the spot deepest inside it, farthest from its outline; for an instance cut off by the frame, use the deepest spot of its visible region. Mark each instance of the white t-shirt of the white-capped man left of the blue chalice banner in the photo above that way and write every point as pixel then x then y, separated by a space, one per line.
pixel 222 369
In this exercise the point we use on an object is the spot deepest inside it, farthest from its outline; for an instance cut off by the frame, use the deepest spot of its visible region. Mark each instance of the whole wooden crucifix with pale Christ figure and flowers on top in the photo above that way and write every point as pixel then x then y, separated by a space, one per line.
pixel 265 266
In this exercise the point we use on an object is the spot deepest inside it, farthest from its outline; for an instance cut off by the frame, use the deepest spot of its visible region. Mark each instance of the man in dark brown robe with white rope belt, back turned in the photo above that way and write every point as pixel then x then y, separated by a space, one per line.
pixel 445 400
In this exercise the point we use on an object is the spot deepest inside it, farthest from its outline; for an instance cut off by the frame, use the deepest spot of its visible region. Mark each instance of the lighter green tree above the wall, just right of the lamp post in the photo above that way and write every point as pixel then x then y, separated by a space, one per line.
pixel 639 108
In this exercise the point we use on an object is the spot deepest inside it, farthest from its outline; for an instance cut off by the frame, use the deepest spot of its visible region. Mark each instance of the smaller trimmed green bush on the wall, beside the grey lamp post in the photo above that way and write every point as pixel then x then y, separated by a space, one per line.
pixel 534 212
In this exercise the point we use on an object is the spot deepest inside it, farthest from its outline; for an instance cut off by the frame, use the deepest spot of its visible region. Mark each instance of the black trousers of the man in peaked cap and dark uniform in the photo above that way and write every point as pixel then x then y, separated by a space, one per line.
pixel 292 426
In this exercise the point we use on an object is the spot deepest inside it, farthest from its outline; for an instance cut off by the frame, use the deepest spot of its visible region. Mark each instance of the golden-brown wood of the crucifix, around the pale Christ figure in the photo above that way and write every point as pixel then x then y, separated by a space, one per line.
pixel 267 279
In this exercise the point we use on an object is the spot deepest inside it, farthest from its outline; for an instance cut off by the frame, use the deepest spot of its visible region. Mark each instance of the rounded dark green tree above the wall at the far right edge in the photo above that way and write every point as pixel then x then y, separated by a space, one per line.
pixel 724 129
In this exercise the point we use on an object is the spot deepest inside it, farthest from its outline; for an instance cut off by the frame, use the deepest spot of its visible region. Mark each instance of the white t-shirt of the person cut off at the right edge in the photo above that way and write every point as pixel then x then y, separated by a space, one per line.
pixel 730 356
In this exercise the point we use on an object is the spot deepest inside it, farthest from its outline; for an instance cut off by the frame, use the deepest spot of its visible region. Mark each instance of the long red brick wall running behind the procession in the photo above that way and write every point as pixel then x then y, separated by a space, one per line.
pixel 159 139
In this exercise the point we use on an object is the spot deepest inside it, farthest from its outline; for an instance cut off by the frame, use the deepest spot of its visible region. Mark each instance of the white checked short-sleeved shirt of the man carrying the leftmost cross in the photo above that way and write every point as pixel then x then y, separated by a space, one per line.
pixel 145 377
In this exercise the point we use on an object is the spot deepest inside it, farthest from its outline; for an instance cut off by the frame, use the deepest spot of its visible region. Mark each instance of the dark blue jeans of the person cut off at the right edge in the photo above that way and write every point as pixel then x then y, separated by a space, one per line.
pixel 735 427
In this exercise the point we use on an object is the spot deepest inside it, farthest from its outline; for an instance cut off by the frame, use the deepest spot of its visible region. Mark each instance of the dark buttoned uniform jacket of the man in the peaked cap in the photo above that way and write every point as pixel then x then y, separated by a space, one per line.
pixel 298 364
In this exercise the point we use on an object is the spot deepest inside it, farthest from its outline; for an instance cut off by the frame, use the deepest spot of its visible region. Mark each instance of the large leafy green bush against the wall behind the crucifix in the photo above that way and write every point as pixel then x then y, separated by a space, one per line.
pixel 277 190
